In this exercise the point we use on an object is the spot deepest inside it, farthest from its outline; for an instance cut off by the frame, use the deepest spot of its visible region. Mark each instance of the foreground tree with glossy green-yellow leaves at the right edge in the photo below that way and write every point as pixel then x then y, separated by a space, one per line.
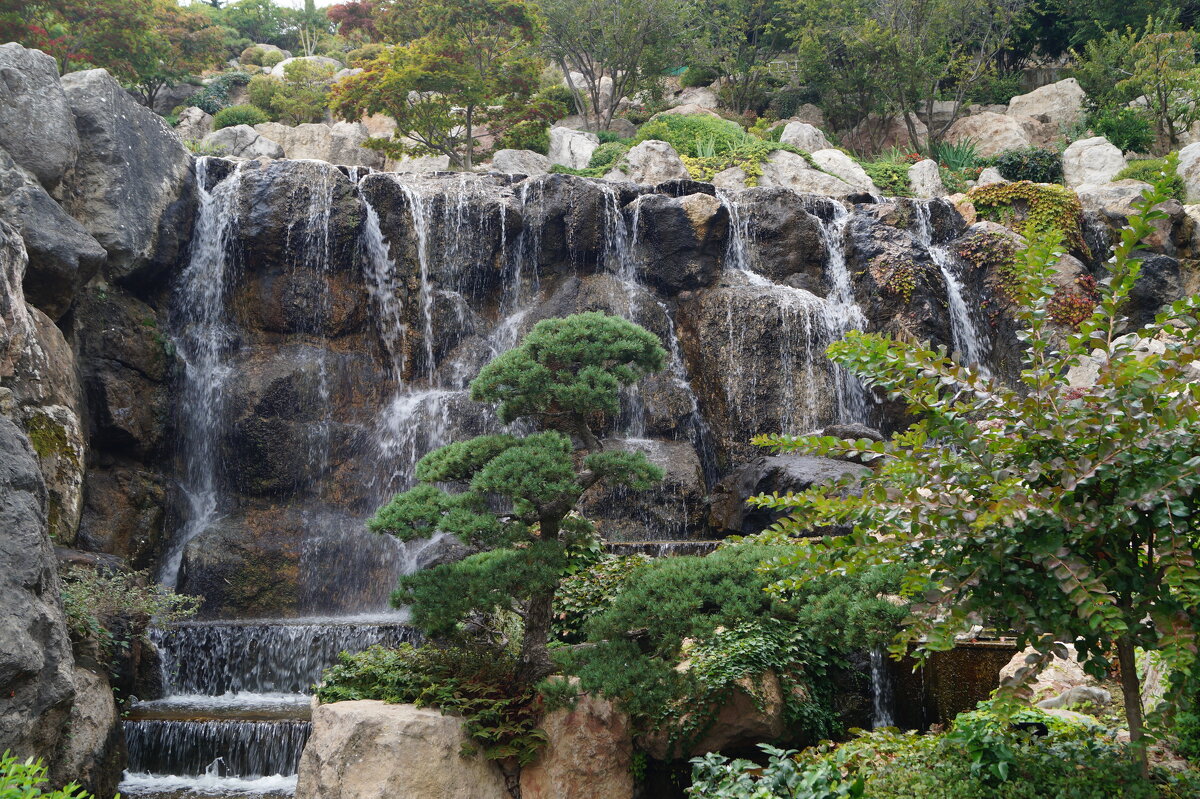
pixel 1066 510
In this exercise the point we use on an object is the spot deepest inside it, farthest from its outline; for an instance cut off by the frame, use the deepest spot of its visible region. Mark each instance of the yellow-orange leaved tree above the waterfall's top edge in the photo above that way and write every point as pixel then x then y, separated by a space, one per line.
pixel 469 56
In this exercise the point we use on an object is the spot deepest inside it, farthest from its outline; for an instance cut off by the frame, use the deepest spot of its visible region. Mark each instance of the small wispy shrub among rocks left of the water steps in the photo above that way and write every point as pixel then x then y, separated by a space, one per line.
pixel 113 609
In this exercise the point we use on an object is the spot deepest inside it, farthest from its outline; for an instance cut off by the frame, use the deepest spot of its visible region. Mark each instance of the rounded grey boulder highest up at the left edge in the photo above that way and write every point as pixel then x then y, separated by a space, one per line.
pixel 37 125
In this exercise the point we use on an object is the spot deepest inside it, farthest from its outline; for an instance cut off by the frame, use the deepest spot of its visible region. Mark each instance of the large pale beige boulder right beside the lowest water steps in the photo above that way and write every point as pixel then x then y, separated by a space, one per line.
pixel 371 750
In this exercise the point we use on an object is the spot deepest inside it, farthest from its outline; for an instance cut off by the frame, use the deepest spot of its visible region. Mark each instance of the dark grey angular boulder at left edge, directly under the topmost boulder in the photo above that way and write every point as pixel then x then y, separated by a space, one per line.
pixel 62 255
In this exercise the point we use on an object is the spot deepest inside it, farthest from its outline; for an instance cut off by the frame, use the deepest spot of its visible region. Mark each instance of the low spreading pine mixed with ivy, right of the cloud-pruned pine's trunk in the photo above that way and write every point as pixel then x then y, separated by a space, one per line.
pixel 716 612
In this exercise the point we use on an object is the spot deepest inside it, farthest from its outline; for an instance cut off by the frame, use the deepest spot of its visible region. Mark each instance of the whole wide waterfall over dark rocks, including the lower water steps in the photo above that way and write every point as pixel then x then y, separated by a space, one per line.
pixel 329 323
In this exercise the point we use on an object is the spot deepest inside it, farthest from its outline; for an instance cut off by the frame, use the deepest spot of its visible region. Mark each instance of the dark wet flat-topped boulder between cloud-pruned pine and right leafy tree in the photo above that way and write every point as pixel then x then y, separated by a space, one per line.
pixel 769 474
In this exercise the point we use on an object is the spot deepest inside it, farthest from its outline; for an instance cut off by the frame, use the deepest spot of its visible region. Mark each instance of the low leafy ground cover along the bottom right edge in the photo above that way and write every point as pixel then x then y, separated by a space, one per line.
pixel 985 756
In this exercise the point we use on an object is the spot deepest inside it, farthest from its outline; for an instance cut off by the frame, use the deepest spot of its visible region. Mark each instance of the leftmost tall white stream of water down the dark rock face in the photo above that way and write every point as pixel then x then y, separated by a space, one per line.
pixel 203 340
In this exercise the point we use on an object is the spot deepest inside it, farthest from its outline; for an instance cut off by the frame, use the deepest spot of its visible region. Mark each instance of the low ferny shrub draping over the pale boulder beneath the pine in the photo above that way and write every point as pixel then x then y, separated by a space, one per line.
pixel 477 684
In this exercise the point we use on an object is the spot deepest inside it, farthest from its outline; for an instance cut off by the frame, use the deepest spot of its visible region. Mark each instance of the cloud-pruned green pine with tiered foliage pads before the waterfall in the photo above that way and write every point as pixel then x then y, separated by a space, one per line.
pixel 511 496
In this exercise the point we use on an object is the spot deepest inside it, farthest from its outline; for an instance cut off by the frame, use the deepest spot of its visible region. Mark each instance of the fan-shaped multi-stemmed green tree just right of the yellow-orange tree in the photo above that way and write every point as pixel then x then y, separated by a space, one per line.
pixel 627 43
